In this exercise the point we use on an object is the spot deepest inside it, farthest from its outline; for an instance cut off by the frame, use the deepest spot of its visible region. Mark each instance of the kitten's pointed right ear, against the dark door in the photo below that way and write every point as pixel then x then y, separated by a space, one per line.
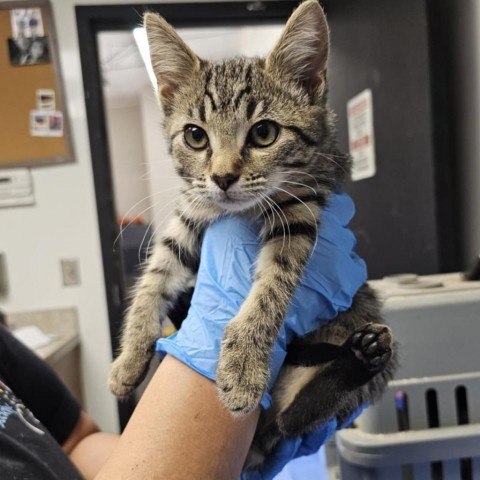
pixel 302 51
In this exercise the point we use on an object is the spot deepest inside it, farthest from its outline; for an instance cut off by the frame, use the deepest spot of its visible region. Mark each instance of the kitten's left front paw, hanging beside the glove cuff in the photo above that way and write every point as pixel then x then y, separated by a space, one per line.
pixel 126 373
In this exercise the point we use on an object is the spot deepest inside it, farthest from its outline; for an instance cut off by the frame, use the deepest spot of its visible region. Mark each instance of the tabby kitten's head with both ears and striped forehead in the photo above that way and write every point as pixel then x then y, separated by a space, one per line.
pixel 244 128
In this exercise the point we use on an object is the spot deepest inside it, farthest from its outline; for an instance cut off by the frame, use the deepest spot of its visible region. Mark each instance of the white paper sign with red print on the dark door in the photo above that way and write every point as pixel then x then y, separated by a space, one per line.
pixel 361 138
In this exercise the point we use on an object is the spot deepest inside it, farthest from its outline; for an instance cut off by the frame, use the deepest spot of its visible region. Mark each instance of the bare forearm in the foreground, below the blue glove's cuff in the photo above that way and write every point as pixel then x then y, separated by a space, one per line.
pixel 181 430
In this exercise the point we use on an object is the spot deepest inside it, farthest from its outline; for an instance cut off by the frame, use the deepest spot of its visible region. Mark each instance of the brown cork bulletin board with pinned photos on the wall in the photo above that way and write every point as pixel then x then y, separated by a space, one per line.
pixel 34 128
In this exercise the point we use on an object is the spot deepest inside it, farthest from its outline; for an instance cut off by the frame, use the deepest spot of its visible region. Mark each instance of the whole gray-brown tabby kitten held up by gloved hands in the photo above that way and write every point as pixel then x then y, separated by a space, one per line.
pixel 255 137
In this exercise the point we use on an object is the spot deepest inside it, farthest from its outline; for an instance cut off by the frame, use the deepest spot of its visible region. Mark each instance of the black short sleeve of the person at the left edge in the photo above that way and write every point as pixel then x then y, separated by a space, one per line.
pixel 32 380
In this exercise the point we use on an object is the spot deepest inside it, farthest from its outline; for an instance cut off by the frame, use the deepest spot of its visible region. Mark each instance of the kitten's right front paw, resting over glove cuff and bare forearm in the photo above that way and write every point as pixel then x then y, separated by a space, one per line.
pixel 242 377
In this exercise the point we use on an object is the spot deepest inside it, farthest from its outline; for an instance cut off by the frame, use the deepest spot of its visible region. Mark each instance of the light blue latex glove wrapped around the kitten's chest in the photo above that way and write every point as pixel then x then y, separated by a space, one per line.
pixel 229 250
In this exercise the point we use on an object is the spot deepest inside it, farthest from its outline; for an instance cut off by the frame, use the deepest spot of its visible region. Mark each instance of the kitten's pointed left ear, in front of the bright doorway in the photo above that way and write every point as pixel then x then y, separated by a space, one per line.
pixel 172 60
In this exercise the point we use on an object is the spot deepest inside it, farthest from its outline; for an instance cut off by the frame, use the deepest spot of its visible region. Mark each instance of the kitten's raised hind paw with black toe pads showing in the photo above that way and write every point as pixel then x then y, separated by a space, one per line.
pixel 372 345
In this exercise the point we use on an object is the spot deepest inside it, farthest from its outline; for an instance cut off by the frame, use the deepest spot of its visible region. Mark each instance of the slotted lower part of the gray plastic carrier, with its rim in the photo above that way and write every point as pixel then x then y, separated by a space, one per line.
pixel 442 440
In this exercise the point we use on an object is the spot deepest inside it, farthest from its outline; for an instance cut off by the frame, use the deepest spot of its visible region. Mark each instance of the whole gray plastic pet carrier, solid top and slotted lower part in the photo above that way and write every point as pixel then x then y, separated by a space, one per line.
pixel 427 425
